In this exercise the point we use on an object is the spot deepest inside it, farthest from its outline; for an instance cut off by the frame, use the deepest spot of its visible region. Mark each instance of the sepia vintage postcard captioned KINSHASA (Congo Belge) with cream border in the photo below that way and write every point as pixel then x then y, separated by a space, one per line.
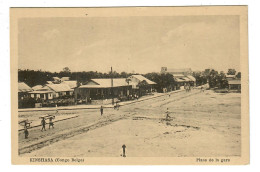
pixel 130 85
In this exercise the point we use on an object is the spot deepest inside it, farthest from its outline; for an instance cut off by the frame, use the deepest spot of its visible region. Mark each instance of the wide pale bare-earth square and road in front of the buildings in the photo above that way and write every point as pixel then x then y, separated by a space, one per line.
pixel 201 124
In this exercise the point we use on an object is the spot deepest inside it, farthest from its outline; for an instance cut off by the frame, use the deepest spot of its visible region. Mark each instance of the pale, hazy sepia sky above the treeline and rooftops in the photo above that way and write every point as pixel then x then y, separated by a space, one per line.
pixel 130 44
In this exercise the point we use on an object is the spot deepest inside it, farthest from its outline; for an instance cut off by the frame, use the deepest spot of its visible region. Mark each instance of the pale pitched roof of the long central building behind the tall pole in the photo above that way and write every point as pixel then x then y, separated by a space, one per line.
pixel 105 83
